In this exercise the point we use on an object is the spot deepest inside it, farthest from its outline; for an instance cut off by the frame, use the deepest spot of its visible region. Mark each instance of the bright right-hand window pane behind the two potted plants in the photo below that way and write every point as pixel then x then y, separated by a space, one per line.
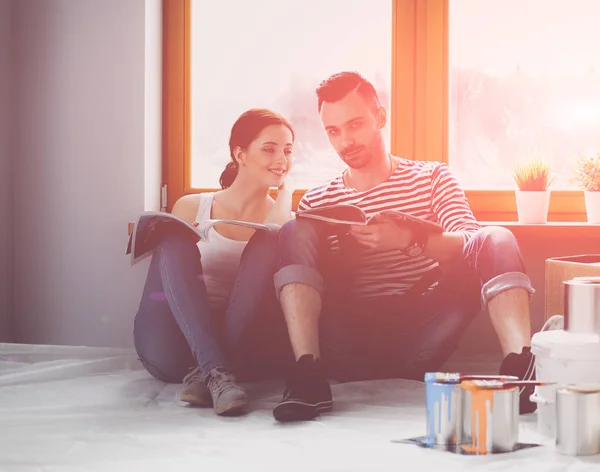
pixel 524 82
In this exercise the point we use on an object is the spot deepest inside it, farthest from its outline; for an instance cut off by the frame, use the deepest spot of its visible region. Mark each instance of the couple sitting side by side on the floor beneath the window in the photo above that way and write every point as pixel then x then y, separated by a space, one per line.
pixel 307 302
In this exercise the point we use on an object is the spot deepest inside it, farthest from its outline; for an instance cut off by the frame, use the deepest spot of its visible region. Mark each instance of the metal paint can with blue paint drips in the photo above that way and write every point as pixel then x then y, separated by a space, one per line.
pixel 442 395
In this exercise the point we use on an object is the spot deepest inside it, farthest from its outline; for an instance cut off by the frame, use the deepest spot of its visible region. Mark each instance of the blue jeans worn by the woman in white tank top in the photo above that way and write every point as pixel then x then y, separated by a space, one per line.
pixel 175 330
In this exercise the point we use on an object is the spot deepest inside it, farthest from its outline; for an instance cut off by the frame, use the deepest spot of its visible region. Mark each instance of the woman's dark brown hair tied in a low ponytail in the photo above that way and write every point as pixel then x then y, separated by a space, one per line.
pixel 245 130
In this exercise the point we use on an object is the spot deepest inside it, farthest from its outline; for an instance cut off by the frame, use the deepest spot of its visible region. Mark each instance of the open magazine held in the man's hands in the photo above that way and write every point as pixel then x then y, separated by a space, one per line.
pixel 346 214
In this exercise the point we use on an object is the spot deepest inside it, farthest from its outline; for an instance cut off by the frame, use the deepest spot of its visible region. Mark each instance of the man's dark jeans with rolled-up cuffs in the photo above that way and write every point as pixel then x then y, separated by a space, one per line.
pixel 396 335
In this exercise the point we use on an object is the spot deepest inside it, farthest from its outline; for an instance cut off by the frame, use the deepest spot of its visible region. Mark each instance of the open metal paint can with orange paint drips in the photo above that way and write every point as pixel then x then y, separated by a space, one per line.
pixel 490 416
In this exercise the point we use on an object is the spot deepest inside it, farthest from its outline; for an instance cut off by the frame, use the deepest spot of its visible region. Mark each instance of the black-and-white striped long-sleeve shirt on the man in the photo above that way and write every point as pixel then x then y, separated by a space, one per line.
pixel 424 189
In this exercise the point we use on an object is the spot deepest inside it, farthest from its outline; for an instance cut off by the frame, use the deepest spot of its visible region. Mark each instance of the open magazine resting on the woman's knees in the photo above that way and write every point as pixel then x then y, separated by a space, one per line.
pixel 152 226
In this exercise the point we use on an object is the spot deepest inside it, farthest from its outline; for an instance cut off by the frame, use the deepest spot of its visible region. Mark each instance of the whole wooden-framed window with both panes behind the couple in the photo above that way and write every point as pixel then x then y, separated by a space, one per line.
pixel 464 85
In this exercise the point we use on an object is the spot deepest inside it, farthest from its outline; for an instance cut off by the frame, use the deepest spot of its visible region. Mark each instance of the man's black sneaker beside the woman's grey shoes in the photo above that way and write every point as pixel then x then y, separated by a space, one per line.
pixel 307 393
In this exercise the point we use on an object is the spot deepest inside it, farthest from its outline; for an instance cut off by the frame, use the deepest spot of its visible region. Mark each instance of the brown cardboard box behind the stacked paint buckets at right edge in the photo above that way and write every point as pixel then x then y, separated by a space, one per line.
pixel 559 269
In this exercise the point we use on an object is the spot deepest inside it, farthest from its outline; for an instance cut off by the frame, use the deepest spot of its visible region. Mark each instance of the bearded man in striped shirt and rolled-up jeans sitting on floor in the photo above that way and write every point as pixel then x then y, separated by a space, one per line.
pixel 384 301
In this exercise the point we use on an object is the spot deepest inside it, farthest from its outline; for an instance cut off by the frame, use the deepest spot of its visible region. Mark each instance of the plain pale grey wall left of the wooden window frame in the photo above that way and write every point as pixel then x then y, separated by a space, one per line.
pixel 84 101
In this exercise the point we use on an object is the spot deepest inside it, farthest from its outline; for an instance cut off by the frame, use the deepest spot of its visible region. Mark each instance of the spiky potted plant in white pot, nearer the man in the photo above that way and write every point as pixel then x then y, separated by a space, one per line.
pixel 533 194
